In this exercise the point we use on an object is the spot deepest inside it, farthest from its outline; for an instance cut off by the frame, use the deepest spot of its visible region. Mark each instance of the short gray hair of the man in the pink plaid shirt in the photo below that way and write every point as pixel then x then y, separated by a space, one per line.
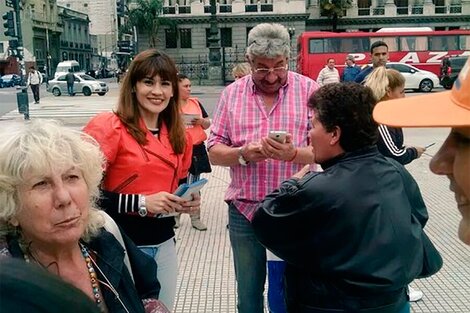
pixel 268 40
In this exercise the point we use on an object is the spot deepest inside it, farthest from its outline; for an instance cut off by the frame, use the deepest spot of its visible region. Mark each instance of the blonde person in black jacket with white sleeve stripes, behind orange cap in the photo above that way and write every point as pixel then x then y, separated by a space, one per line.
pixel 387 84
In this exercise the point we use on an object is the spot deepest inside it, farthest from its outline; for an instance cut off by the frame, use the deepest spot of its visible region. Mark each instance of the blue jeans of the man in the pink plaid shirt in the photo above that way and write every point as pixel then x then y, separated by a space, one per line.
pixel 249 257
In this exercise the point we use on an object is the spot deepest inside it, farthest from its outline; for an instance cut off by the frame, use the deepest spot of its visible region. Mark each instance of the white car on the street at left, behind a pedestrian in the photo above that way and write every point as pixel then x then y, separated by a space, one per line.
pixel 83 84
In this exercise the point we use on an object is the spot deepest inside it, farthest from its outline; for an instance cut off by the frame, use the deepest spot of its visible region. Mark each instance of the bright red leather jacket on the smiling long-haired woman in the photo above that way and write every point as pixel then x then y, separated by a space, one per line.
pixel 133 168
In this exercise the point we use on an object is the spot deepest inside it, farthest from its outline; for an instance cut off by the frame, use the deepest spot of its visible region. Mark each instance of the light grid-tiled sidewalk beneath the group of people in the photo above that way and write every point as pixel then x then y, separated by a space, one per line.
pixel 206 281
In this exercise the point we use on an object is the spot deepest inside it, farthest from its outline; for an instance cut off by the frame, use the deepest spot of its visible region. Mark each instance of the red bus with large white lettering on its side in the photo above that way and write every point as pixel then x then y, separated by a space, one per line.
pixel 421 48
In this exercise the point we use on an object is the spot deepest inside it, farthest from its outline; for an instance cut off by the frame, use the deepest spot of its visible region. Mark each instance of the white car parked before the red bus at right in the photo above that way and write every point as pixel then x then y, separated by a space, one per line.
pixel 416 79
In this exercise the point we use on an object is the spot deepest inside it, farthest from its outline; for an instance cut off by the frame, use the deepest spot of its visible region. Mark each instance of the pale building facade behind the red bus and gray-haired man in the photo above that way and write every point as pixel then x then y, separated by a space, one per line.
pixel 188 42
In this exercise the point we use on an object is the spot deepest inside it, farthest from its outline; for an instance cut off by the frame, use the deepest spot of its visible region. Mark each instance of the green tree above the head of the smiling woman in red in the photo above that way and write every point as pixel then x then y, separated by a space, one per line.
pixel 147 17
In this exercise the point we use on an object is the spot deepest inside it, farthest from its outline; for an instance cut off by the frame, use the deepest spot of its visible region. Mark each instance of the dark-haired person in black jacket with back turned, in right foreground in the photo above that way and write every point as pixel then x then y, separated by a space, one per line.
pixel 352 235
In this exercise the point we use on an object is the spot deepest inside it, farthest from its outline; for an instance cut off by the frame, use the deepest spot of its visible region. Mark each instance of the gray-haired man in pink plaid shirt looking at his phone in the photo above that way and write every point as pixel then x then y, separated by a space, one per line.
pixel 271 99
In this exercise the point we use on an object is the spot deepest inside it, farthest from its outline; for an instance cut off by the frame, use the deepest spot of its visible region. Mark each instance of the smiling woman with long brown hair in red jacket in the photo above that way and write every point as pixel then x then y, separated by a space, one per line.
pixel 147 152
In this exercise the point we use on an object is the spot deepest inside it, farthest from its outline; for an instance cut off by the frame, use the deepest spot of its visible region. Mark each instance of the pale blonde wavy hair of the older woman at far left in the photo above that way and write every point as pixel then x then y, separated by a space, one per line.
pixel 40 146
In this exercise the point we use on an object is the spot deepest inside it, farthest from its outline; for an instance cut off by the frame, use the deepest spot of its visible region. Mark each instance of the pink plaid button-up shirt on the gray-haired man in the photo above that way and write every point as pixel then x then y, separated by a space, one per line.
pixel 241 118
